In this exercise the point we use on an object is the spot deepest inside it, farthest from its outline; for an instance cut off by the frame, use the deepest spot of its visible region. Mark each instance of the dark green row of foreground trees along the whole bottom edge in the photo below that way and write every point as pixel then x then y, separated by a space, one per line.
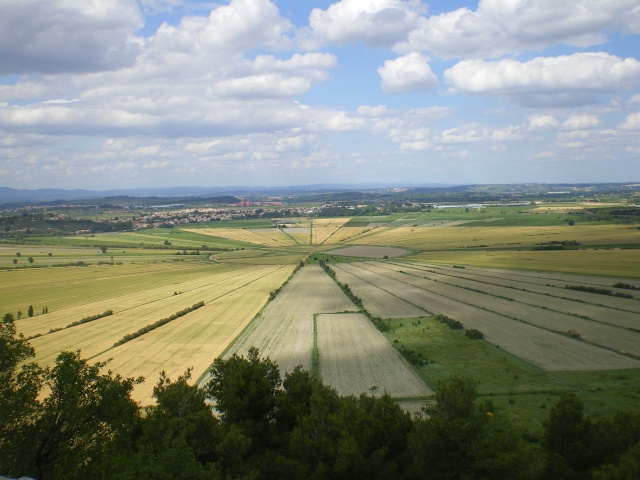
pixel 74 421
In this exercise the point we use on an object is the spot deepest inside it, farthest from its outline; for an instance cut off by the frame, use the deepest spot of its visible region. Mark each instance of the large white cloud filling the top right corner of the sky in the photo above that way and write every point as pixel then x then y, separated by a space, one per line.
pixel 500 27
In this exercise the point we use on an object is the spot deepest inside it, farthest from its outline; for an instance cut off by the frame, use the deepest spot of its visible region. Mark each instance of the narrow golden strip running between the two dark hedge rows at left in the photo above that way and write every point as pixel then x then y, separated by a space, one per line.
pixel 98 336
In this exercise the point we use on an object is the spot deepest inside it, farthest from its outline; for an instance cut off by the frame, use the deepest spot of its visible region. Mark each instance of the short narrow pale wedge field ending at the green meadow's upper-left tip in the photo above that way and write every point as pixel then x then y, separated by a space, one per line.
pixel 379 302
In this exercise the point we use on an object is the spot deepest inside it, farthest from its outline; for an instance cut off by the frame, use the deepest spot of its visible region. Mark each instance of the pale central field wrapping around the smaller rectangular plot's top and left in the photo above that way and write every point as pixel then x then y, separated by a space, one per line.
pixel 284 330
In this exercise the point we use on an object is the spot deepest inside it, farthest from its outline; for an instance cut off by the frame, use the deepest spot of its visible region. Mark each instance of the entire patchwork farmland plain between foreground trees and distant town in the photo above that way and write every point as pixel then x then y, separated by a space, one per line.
pixel 502 271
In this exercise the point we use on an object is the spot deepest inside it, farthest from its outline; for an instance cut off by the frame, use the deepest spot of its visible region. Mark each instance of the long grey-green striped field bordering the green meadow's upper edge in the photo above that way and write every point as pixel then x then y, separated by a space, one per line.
pixel 508 324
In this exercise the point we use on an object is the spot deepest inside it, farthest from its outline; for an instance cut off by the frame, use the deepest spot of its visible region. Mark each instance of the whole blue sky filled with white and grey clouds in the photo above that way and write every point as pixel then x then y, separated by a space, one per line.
pixel 105 94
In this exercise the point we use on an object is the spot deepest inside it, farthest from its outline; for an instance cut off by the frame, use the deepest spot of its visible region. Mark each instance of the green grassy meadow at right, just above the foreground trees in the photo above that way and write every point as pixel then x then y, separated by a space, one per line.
pixel 520 392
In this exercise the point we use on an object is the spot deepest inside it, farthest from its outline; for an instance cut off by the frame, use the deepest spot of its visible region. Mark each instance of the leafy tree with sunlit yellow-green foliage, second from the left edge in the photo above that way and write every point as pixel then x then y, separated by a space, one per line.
pixel 85 417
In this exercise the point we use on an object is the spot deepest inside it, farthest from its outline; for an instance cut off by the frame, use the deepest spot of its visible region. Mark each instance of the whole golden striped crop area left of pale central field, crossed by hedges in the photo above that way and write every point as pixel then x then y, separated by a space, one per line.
pixel 138 296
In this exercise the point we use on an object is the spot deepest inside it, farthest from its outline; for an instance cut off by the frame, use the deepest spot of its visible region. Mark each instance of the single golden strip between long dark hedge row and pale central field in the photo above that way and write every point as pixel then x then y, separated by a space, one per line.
pixel 195 340
